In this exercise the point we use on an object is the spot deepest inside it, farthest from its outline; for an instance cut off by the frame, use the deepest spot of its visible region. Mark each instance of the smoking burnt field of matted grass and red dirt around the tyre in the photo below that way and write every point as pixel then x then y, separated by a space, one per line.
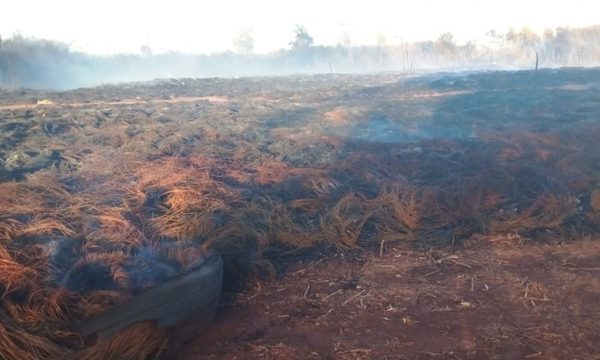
pixel 449 216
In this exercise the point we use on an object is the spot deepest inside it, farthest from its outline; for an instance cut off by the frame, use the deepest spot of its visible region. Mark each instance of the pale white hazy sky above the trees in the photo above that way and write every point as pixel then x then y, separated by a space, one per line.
pixel 111 26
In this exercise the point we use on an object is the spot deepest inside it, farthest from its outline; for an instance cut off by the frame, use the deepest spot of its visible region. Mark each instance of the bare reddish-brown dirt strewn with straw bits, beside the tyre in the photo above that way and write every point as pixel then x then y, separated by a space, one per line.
pixel 493 300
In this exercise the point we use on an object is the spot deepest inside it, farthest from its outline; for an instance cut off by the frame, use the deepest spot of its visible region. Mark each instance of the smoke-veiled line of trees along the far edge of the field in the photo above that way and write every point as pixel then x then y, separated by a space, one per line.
pixel 34 63
